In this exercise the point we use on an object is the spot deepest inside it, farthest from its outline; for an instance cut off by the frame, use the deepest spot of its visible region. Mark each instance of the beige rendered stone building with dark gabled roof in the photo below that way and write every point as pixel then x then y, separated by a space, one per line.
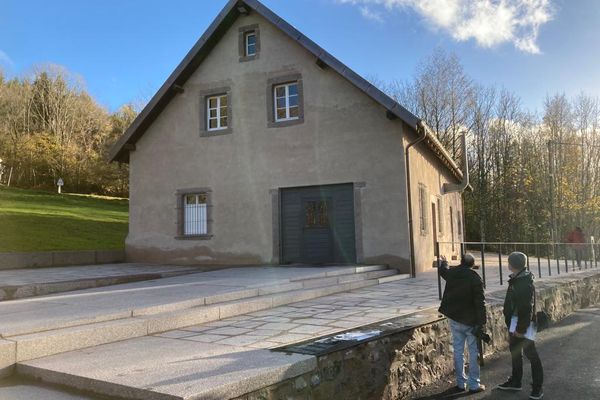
pixel 262 148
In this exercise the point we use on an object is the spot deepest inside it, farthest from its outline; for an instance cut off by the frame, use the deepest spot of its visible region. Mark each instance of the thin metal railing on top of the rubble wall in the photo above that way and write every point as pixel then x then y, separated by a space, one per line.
pixel 544 258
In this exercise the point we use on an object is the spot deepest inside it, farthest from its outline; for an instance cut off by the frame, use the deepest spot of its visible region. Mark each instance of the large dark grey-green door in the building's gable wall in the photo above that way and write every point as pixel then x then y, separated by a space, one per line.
pixel 318 224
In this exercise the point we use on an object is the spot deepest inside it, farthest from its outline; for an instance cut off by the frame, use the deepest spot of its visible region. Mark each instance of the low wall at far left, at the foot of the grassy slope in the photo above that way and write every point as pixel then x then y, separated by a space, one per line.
pixel 59 258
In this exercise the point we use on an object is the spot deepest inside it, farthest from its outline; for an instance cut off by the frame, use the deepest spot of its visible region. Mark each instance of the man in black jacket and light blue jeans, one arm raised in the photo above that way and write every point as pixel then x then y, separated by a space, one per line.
pixel 464 305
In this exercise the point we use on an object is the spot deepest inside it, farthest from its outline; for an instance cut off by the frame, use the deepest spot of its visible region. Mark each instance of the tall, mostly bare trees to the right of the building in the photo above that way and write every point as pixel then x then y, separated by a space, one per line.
pixel 535 175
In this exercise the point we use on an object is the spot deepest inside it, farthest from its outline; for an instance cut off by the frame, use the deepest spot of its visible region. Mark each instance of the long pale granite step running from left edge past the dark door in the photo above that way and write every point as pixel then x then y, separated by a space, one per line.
pixel 57 338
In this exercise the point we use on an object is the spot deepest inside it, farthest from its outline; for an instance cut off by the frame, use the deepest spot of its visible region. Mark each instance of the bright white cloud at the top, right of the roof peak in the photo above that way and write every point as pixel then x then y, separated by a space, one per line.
pixel 488 22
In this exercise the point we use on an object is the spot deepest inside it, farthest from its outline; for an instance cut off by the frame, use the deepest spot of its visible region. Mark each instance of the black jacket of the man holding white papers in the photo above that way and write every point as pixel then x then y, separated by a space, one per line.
pixel 519 300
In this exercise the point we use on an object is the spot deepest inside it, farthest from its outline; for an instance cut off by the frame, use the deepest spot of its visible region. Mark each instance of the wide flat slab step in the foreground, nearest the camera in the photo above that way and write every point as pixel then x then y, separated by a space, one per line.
pixel 154 368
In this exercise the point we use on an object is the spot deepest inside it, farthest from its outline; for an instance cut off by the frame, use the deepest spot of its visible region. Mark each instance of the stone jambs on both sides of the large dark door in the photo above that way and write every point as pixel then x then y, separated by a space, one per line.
pixel 358 222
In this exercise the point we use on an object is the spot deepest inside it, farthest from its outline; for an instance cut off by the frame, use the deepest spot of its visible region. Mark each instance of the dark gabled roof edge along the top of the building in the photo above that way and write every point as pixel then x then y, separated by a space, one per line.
pixel 232 10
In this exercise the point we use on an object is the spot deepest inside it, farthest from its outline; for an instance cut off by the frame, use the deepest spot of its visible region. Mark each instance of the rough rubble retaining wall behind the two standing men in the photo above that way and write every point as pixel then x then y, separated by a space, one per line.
pixel 393 367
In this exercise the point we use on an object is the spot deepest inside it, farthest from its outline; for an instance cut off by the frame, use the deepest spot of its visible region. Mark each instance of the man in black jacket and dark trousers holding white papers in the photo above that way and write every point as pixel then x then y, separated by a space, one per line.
pixel 518 314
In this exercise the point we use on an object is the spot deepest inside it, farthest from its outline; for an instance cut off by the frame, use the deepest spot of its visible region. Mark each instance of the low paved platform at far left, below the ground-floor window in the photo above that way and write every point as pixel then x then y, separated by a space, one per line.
pixel 24 283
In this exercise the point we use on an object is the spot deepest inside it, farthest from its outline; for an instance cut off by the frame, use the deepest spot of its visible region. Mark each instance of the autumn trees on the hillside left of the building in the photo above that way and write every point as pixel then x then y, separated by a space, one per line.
pixel 51 128
